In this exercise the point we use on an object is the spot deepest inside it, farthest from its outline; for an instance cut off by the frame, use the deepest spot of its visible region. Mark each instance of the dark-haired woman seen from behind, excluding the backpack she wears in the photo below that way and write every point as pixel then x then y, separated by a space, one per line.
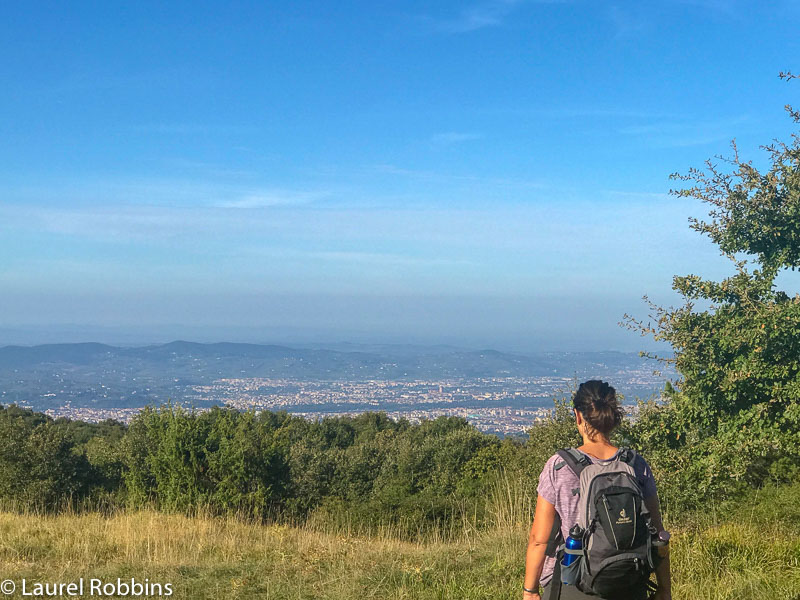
pixel 597 413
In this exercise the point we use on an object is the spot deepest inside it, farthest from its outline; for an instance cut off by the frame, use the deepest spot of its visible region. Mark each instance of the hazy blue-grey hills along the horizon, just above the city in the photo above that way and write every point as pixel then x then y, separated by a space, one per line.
pixel 104 376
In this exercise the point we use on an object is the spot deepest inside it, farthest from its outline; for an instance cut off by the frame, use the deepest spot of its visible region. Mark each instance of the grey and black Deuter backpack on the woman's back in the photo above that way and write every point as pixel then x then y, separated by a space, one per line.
pixel 616 559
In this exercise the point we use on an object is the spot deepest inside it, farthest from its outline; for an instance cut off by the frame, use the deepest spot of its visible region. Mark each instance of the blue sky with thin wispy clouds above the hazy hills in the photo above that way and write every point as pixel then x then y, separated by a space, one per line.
pixel 478 173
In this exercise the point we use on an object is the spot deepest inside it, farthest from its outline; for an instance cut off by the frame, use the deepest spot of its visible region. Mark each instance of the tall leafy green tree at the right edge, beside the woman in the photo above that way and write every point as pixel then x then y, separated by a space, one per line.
pixel 735 409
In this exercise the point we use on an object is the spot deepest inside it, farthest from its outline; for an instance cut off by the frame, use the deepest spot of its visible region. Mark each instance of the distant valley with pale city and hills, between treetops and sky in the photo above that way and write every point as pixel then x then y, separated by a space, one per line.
pixel 497 392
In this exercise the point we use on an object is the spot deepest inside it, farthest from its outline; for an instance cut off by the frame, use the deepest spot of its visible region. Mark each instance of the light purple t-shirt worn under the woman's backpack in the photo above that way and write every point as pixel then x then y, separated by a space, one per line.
pixel 556 487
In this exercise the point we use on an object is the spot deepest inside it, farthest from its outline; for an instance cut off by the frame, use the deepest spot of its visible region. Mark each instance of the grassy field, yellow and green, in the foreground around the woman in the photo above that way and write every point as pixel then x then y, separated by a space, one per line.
pixel 751 549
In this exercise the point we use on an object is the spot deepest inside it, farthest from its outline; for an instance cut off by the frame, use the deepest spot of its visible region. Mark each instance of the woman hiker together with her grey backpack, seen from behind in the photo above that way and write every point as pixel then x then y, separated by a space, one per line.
pixel 608 495
